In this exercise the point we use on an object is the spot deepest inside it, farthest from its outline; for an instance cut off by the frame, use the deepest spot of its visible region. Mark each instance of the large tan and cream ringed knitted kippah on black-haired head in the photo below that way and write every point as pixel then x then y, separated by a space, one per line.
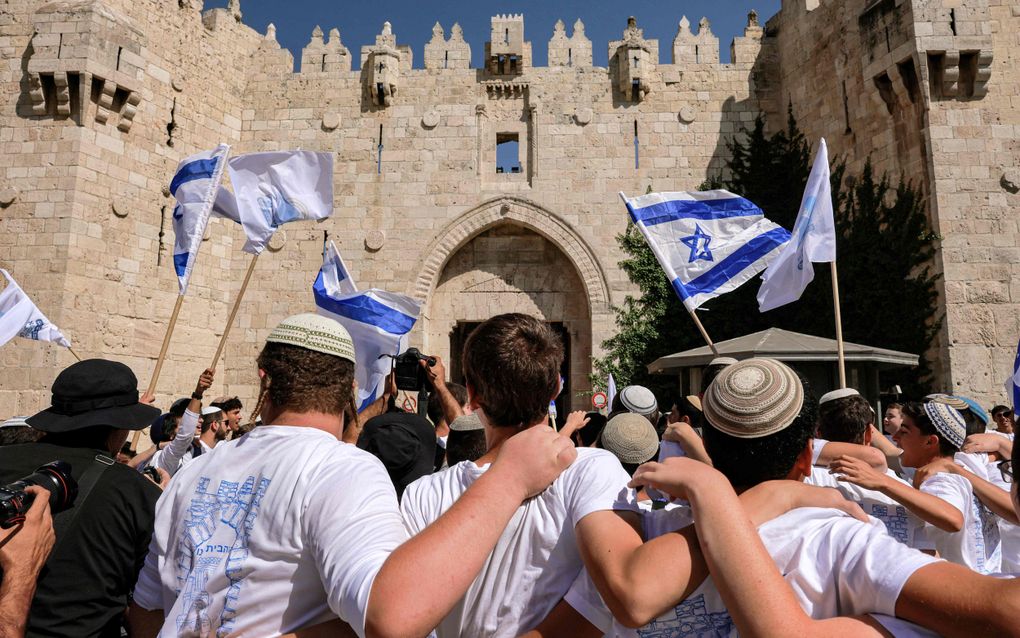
pixel 754 399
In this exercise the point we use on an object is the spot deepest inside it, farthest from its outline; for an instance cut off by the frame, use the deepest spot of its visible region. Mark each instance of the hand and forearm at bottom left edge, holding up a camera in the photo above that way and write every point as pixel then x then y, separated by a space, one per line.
pixel 23 553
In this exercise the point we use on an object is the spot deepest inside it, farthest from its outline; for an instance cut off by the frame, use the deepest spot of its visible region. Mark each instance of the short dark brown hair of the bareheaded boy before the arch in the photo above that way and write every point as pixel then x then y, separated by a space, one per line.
pixel 514 364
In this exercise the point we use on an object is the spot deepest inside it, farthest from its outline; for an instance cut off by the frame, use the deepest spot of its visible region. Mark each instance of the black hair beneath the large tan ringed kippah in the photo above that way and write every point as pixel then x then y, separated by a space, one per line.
pixel 750 462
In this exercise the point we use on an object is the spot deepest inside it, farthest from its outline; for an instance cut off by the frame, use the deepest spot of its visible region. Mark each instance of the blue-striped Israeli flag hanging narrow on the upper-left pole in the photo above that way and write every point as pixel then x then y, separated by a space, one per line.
pixel 194 186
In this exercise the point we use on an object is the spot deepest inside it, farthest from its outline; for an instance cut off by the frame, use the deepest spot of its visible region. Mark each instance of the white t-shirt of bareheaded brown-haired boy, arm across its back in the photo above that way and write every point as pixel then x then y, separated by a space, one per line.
pixel 537 558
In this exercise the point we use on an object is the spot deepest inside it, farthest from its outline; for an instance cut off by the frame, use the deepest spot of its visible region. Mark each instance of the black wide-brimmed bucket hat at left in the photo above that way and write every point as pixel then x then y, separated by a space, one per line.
pixel 94 392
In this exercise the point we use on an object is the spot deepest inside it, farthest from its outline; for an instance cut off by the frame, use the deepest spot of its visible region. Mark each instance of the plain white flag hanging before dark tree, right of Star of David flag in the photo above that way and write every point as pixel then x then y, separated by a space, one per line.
pixel 814 241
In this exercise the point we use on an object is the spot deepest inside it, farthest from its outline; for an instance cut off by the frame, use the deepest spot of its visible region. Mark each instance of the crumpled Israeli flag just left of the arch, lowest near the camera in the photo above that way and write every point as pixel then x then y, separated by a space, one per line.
pixel 379 323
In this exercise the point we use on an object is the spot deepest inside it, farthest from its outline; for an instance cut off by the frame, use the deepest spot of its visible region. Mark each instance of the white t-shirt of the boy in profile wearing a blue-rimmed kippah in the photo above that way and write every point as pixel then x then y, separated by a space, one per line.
pixel 978 545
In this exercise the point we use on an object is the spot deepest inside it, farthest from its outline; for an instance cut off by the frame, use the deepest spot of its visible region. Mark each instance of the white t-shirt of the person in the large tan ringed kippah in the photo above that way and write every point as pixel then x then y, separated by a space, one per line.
pixel 836 565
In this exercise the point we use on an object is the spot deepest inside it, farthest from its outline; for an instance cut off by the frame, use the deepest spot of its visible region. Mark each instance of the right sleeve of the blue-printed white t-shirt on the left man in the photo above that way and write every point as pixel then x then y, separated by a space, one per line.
pixel 351 526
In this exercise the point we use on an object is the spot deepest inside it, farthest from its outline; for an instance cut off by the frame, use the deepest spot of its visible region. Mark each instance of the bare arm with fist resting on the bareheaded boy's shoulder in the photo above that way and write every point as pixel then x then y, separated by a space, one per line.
pixel 423 579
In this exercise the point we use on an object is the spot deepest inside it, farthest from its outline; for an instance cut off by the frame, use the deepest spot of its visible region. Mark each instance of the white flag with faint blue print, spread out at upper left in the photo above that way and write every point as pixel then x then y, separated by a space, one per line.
pixel 273 189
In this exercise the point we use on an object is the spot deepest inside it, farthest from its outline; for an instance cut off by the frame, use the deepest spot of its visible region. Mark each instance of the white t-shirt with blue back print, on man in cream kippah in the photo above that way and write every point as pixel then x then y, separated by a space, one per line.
pixel 283 528
